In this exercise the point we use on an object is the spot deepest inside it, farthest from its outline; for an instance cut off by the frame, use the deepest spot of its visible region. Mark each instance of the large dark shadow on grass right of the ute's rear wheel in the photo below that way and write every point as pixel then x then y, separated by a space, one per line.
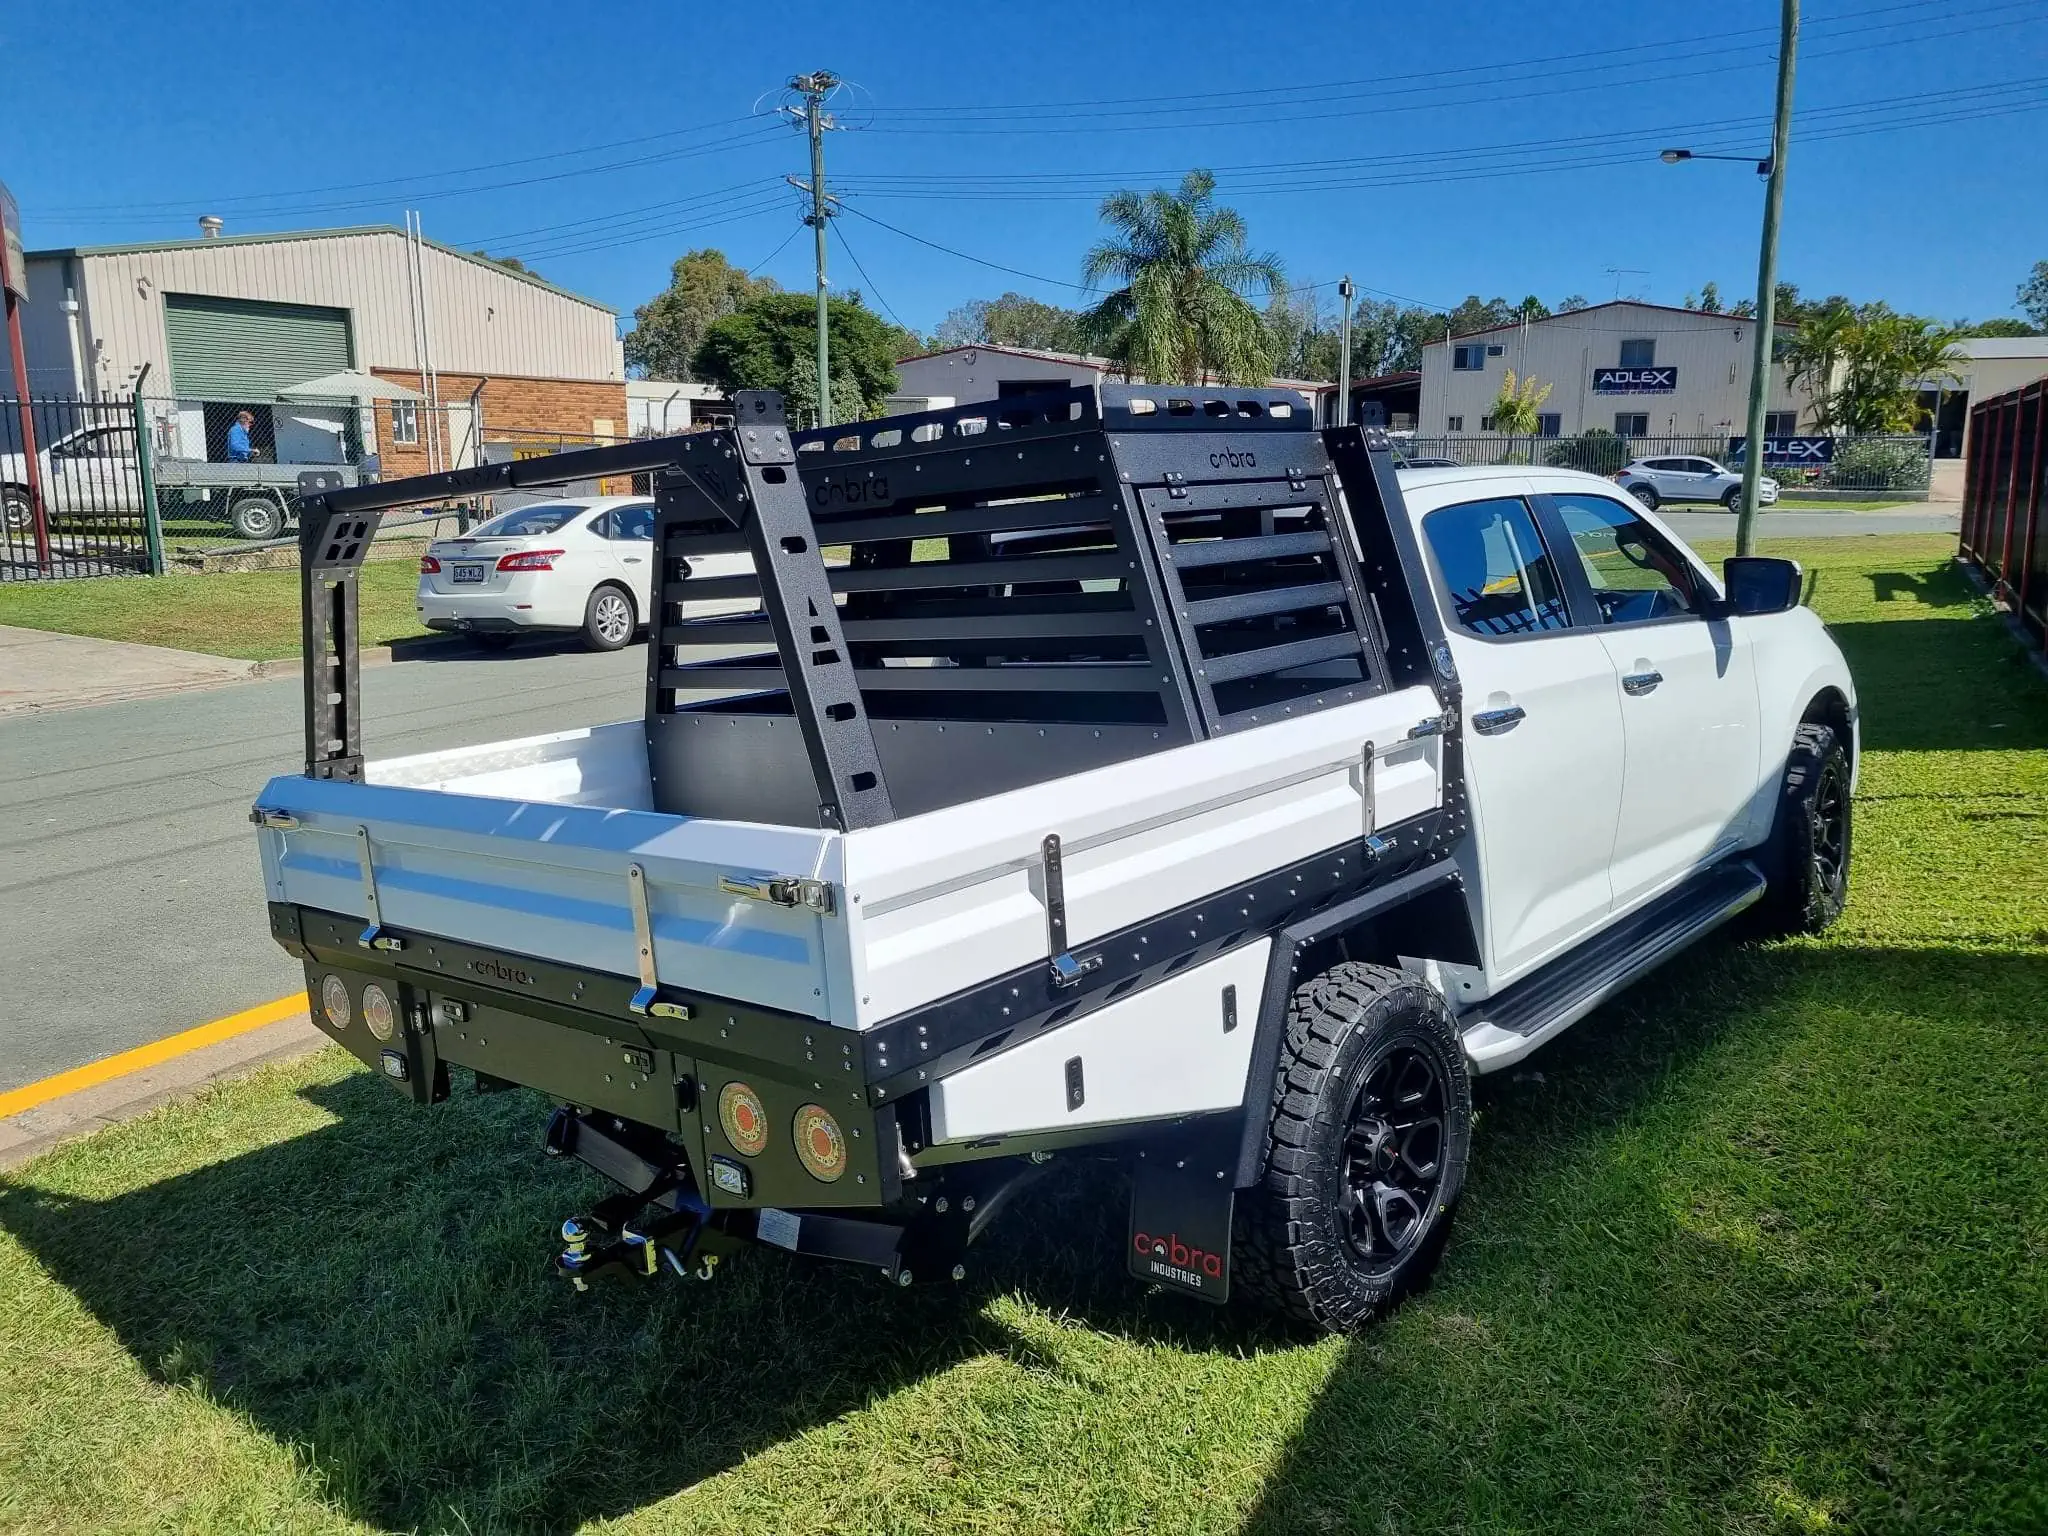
pixel 1709 1304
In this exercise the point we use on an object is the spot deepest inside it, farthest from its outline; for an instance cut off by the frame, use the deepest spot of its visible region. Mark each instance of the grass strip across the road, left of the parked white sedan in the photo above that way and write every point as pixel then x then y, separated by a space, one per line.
pixel 253 615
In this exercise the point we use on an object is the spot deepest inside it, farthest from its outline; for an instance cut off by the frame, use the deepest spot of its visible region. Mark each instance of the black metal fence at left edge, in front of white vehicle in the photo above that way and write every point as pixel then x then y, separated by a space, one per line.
pixel 85 505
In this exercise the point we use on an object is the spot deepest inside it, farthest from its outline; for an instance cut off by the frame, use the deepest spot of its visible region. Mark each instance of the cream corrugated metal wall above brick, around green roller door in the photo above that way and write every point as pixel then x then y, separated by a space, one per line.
pixel 484 321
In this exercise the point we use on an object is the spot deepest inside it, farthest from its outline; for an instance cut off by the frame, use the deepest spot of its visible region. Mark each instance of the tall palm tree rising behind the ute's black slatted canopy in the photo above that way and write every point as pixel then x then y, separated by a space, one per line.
pixel 1187 282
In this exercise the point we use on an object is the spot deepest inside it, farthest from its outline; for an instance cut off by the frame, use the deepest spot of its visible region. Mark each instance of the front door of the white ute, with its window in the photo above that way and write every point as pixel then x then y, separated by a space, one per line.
pixel 1684 683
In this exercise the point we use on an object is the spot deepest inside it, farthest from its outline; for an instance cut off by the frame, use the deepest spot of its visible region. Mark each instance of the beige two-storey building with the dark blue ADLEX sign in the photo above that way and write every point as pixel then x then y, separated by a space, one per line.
pixel 1627 368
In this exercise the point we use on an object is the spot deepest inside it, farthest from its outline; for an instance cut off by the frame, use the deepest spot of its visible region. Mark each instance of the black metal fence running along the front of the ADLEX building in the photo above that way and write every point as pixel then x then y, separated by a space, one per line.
pixel 1850 468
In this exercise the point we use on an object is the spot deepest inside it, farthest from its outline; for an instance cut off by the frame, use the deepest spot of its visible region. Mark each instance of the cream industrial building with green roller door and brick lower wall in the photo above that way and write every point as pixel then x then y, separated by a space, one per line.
pixel 464 353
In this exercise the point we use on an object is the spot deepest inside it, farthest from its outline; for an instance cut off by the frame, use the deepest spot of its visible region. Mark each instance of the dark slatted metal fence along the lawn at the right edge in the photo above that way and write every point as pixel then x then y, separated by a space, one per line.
pixel 2006 501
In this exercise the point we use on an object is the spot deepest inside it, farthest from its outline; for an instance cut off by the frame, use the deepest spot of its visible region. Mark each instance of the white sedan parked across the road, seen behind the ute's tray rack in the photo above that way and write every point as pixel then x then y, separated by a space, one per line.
pixel 556 566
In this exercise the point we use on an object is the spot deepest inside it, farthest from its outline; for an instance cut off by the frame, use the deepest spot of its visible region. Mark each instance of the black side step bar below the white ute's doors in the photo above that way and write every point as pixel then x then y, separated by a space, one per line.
pixel 1512 1025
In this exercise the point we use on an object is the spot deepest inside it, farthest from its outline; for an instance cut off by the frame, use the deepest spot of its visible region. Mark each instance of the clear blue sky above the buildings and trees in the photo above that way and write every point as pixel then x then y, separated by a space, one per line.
pixel 1433 155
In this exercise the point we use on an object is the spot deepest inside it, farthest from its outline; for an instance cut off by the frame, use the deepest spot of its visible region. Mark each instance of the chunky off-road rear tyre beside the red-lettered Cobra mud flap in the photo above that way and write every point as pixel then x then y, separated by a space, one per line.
pixel 1295 1244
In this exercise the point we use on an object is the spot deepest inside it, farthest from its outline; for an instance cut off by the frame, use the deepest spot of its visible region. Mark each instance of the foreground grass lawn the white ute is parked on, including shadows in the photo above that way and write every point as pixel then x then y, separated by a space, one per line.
pixel 1758 1248
